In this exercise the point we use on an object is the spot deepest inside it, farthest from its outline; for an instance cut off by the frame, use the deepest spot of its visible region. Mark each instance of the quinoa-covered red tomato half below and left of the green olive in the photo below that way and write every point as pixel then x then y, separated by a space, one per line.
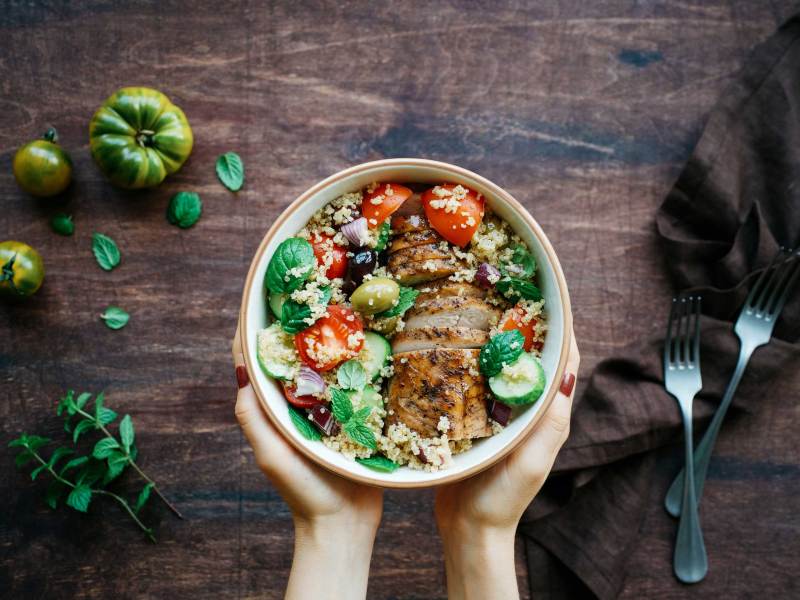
pixel 327 342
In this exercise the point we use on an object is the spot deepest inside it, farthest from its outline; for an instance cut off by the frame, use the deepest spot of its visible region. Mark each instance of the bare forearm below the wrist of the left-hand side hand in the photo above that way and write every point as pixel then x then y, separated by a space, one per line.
pixel 330 561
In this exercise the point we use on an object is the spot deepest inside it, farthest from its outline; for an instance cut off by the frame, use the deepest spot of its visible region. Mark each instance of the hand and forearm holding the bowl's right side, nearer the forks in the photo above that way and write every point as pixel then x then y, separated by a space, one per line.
pixel 478 517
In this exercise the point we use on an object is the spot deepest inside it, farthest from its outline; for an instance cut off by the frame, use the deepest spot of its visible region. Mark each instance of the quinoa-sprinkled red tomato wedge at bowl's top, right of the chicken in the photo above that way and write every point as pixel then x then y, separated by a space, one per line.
pixel 456 225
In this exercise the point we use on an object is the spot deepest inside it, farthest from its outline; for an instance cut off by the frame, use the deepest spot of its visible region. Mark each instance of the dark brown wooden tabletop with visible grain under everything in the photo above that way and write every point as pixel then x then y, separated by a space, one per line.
pixel 585 111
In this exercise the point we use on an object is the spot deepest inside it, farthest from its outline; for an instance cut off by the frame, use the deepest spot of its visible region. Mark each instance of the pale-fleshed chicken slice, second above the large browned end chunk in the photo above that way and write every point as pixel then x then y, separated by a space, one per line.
pixel 453 311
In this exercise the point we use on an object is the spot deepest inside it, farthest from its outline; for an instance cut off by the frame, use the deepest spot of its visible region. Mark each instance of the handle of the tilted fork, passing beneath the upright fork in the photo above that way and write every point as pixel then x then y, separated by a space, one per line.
pixel 702 454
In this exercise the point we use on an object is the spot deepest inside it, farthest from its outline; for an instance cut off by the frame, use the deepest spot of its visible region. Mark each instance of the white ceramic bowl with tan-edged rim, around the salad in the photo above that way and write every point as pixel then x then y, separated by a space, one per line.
pixel 550 278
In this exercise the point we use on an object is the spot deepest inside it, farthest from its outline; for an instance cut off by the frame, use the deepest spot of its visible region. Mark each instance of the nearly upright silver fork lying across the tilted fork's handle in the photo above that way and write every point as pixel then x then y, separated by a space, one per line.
pixel 682 379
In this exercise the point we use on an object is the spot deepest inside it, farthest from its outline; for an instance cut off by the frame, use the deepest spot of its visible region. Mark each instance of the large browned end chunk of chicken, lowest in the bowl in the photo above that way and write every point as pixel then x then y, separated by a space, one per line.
pixel 441 382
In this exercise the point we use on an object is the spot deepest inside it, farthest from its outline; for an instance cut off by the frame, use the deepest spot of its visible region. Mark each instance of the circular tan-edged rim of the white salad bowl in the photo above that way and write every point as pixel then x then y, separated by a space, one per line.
pixel 456 171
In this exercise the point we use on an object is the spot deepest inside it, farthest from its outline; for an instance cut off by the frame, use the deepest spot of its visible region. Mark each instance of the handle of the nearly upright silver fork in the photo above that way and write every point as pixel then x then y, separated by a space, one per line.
pixel 690 561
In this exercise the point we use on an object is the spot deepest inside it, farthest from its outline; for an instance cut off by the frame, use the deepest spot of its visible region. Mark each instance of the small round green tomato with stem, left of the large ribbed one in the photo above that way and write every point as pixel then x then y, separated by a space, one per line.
pixel 42 167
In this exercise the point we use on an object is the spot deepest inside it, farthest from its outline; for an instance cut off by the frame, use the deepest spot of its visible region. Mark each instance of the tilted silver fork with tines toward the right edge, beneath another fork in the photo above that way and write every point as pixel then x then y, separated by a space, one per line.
pixel 754 328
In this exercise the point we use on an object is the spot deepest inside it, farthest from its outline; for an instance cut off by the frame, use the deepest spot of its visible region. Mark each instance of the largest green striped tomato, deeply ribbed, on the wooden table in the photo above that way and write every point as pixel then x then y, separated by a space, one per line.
pixel 138 137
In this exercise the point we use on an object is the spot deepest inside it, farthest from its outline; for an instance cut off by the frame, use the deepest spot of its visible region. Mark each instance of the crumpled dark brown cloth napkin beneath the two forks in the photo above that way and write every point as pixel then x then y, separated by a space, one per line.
pixel 735 203
